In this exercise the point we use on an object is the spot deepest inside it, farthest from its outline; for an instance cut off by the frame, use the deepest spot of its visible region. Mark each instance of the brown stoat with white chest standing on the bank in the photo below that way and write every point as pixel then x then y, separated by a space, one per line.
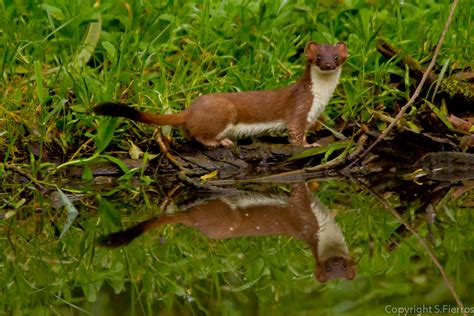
pixel 217 118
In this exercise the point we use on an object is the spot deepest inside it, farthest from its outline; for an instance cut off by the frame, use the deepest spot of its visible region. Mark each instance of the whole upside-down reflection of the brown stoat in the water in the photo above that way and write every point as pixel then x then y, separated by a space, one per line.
pixel 301 216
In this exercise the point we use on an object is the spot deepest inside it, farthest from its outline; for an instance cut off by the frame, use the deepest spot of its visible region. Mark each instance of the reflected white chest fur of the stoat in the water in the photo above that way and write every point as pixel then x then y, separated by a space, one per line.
pixel 330 239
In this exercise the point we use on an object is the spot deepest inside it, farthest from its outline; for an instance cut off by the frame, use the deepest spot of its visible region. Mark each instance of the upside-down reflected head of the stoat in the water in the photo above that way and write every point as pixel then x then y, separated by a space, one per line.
pixel 335 268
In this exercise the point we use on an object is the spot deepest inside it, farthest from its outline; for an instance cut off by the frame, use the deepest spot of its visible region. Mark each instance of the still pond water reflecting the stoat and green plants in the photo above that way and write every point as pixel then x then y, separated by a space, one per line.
pixel 326 246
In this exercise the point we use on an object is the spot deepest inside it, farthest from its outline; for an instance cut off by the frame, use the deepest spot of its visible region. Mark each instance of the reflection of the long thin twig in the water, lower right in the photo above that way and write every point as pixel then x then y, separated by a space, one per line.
pixel 421 240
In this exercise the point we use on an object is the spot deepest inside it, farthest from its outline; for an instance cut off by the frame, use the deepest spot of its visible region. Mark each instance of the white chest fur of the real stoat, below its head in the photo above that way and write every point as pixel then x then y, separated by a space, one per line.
pixel 323 85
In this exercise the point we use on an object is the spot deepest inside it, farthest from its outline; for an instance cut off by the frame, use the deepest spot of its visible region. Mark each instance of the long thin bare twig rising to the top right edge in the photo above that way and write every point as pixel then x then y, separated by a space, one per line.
pixel 417 90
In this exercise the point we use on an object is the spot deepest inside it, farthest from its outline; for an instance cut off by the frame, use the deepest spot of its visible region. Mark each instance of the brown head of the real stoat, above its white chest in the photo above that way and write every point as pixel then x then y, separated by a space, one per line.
pixel 326 58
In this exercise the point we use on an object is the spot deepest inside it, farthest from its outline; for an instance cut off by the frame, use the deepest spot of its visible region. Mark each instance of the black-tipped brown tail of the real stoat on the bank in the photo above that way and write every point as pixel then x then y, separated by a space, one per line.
pixel 122 110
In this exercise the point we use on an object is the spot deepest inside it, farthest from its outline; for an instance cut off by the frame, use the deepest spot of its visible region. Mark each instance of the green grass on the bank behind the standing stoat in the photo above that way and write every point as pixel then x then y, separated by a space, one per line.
pixel 161 56
